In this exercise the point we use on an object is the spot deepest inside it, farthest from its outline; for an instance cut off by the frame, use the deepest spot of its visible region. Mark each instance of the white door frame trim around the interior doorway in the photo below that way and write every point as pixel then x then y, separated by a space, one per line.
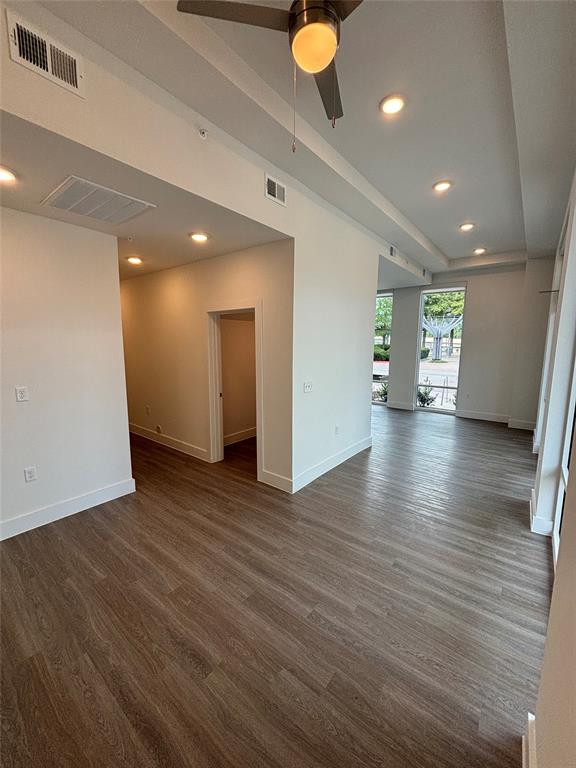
pixel 215 411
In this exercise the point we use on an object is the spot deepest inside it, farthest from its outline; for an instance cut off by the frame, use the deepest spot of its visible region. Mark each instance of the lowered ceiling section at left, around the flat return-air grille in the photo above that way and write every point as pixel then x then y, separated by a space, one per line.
pixel 159 237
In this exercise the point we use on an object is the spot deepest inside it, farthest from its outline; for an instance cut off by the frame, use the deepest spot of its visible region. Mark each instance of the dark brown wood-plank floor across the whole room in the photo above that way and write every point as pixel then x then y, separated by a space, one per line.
pixel 390 614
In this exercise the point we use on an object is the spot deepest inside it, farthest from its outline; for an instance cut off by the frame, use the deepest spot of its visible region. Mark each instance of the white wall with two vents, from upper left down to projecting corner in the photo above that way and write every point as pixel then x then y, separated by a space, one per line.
pixel 335 259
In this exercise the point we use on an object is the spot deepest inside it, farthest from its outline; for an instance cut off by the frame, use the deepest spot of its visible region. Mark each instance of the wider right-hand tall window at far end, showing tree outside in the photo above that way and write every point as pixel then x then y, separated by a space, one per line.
pixel 442 314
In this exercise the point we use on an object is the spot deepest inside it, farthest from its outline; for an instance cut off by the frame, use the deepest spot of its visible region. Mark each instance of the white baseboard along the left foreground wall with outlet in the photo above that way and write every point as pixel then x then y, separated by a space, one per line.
pixel 44 515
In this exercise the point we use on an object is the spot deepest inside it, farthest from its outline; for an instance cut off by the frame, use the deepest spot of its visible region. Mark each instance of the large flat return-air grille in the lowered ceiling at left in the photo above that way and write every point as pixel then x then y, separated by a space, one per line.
pixel 88 199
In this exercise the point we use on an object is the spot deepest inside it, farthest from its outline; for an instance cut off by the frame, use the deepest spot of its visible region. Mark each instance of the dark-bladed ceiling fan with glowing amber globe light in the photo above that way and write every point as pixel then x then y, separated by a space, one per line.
pixel 313 27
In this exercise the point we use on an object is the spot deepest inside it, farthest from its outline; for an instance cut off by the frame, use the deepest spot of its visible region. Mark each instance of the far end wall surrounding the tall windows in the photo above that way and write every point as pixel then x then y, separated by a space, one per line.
pixel 503 335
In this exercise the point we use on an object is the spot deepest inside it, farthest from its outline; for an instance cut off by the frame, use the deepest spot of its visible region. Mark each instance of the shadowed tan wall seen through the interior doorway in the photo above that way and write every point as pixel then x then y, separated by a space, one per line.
pixel 238 346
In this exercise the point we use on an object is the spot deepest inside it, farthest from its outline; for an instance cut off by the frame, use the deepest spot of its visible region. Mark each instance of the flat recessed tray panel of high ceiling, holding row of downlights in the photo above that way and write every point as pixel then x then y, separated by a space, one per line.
pixel 450 61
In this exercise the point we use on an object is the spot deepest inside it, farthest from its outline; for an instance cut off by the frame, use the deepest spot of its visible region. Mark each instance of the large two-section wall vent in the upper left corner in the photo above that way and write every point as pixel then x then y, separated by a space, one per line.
pixel 40 53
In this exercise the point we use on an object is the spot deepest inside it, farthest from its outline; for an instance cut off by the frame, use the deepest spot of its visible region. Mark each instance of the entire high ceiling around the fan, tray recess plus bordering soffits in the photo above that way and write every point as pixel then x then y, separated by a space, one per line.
pixel 490 104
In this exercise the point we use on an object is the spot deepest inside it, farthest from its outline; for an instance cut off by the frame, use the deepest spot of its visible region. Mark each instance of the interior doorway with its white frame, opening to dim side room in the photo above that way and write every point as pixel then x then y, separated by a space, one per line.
pixel 235 374
